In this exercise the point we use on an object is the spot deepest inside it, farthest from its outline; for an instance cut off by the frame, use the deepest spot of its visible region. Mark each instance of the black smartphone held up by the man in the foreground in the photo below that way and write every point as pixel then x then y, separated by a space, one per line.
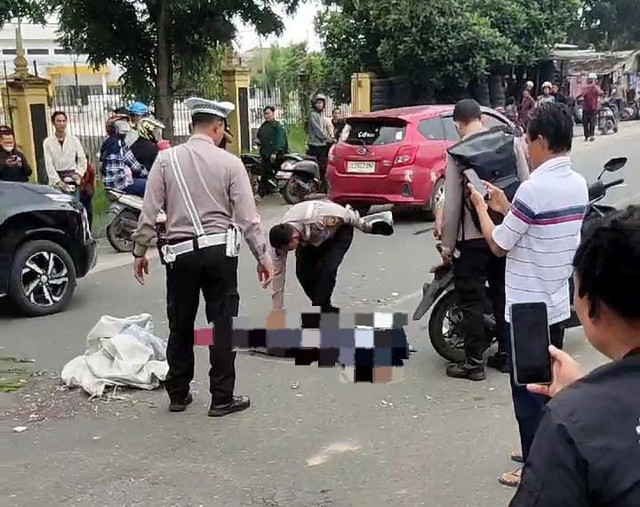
pixel 531 360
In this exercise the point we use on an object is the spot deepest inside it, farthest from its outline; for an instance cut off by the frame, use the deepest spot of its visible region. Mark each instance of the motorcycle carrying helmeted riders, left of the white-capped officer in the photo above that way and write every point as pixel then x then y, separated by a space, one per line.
pixel 124 213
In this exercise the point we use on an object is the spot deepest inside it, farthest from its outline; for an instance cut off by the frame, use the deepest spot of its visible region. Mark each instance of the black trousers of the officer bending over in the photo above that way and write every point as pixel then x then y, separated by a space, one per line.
pixel 317 266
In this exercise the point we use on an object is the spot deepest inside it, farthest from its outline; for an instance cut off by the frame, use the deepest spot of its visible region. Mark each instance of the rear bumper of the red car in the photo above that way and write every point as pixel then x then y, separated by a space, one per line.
pixel 402 186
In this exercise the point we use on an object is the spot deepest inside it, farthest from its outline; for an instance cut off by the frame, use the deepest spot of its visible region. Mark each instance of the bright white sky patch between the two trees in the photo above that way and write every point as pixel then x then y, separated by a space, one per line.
pixel 298 28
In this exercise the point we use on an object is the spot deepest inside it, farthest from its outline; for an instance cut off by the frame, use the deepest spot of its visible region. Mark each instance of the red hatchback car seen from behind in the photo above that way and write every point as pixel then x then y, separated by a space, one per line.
pixel 397 156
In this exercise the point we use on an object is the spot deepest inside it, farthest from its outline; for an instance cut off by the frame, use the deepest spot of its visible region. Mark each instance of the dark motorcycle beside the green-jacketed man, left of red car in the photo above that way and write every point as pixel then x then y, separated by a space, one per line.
pixel 297 177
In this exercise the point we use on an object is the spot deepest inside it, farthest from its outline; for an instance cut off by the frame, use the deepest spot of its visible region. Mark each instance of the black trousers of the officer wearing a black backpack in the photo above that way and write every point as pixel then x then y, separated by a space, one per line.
pixel 475 267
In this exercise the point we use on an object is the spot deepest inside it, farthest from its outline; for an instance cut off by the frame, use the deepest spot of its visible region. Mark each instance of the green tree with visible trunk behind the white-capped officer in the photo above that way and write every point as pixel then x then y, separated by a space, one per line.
pixel 150 39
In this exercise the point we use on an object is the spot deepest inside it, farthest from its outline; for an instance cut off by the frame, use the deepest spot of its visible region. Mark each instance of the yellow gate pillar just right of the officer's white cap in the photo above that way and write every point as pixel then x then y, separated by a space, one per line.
pixel 235 83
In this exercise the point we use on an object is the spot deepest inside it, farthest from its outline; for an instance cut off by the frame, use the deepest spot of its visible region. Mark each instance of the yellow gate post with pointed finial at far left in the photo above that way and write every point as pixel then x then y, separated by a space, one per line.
pixel 28 100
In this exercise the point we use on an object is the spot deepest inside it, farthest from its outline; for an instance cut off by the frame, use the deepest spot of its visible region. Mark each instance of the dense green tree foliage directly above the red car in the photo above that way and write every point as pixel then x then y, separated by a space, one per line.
pixel 439 43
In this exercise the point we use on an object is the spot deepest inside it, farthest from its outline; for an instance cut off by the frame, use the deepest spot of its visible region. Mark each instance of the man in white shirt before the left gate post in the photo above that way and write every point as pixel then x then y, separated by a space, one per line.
pixel 64 156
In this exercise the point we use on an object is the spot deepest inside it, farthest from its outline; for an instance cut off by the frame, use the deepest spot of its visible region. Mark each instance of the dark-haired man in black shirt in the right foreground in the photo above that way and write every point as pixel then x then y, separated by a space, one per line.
pixel 587 448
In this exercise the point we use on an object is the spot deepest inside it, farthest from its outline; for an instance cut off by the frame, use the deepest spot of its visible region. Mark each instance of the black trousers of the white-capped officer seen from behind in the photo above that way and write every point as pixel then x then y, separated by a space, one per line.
pixel 214 274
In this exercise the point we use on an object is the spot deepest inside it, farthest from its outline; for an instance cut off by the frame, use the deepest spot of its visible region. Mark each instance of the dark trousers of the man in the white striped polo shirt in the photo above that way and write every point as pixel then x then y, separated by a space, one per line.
pixel 527 406
